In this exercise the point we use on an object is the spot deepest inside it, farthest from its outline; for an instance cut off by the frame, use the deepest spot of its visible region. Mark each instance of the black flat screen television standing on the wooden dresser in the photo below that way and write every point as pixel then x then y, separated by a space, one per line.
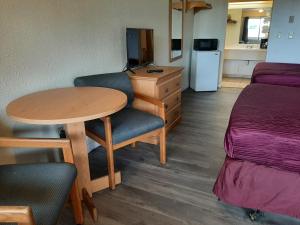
pixel 139 47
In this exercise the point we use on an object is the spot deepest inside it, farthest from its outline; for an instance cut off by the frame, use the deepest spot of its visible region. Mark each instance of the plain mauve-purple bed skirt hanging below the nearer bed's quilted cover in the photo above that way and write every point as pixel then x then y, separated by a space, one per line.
pixel 248 185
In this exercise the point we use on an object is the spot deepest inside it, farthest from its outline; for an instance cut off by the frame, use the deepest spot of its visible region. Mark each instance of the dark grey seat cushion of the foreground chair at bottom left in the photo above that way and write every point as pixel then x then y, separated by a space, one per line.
pixel 44 187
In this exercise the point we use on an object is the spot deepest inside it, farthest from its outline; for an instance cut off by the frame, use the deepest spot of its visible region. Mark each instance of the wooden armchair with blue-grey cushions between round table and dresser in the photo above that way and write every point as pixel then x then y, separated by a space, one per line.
pixel 127 126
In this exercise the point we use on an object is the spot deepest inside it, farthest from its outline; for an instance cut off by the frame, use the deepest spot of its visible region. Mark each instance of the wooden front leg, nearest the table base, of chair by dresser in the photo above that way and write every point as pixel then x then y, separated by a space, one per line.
pixel 109 153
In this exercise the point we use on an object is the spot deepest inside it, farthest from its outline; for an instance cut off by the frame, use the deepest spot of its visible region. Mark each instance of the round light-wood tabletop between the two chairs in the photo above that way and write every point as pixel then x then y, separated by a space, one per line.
pixel 66 105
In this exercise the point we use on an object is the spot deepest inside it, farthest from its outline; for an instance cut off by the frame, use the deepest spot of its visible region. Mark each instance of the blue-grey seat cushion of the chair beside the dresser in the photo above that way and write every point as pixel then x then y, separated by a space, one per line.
pixel 127 124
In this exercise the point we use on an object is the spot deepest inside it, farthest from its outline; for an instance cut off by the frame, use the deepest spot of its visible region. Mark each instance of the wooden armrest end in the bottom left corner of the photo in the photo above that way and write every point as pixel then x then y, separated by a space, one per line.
pixel 16 214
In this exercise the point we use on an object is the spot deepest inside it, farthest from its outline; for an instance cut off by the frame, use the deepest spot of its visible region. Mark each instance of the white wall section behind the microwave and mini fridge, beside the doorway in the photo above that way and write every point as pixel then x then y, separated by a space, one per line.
pixel 212 24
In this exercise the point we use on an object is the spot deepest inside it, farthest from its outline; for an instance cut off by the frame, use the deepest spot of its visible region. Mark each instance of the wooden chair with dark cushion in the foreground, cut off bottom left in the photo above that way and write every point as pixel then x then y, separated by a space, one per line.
pixel 36 193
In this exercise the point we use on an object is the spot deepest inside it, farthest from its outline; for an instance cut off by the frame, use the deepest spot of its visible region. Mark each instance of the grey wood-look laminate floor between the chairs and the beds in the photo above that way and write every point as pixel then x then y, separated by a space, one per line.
pixel 181 191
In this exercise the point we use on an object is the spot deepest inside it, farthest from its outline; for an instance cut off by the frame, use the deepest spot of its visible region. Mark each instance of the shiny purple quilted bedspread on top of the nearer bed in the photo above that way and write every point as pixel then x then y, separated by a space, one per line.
pixel 264 127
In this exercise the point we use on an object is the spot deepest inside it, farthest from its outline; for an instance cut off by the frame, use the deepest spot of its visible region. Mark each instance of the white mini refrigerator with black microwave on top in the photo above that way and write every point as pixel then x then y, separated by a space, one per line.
pixel 205 70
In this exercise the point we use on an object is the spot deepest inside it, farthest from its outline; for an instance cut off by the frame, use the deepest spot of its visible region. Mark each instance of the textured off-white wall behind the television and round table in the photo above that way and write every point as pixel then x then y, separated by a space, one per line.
pixel 46 44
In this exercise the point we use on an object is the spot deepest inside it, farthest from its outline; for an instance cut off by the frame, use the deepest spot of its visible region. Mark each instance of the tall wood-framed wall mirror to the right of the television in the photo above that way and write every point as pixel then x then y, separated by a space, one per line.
pixel 176 10
